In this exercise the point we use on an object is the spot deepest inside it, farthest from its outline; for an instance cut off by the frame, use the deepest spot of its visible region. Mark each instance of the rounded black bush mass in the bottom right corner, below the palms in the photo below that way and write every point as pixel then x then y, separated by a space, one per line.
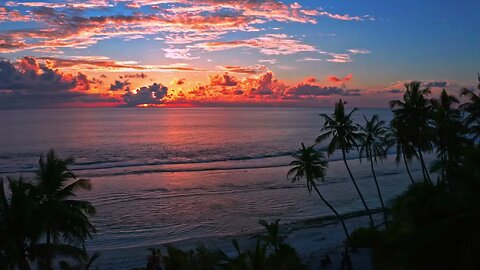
pixel 432 228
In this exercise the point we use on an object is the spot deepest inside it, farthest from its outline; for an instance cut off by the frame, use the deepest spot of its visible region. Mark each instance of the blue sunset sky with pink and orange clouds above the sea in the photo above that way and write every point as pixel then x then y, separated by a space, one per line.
pixel 161 53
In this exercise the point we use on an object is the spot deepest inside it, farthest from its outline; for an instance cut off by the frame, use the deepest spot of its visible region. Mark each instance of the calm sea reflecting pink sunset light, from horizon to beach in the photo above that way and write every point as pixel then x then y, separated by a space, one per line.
pixel 164 175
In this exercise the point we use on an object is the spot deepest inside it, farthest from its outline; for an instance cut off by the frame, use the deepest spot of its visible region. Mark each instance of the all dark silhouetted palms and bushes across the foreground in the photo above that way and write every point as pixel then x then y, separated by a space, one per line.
pixel 433 225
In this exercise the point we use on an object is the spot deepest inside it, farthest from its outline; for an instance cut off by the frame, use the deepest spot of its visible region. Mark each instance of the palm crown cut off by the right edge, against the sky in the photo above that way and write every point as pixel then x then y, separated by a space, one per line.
pixel 472 120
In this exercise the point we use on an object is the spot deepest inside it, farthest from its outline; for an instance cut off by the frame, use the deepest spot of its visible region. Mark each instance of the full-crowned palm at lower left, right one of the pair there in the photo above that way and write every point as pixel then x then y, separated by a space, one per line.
pixel 61 215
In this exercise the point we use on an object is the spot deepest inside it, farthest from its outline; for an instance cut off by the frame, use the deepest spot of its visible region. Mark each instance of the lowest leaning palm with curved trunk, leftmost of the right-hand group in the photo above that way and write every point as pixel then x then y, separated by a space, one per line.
pixel 311 165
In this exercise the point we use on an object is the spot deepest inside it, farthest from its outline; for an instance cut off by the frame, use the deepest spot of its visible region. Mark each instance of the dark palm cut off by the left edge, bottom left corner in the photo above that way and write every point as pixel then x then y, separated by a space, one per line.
pixel 17 226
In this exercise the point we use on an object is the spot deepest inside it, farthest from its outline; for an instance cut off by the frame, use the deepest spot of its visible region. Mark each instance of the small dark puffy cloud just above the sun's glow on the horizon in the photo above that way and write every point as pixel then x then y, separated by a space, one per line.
pixel 146 95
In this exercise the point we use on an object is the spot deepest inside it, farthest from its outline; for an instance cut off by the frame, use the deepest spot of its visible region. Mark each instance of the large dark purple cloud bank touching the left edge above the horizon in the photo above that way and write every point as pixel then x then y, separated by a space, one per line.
pixel 30 84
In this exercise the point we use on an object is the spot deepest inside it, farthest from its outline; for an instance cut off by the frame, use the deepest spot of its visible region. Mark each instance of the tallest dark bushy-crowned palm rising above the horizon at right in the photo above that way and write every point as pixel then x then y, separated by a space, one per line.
pixel 412 116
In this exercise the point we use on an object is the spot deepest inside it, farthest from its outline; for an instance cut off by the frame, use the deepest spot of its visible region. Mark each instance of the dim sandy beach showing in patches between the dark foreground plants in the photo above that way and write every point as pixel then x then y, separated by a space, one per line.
pixel 313 239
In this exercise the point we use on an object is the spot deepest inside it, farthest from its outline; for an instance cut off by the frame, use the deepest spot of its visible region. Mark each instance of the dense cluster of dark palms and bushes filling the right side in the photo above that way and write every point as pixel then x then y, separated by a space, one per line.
pixel 434 224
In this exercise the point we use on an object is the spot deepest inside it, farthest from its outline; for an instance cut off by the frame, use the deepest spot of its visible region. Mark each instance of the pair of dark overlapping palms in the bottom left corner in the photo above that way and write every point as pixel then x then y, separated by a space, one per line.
pixel 40 220
